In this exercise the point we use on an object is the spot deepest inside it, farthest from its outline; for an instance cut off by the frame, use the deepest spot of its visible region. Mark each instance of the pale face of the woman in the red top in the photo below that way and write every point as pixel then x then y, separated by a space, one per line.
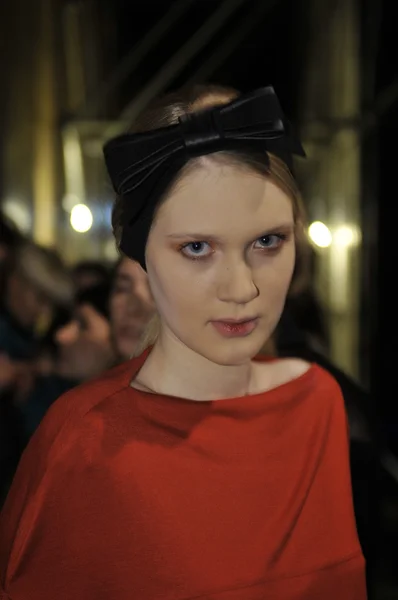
pixel 222 249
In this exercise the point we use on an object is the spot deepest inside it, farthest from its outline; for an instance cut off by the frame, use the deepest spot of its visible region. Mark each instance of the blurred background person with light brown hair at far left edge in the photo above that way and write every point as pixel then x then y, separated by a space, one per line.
pixel 36 281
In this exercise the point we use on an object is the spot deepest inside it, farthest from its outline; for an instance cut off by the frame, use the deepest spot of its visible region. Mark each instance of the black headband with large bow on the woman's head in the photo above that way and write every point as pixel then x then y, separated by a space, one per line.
pixel 141 166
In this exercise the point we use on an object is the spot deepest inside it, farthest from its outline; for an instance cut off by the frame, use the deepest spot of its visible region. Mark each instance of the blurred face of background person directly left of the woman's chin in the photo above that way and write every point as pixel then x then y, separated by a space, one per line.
pixel 131 307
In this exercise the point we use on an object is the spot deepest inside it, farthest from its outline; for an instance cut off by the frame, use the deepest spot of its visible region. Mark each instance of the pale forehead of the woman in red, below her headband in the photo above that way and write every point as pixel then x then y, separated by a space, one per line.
pixel 219 197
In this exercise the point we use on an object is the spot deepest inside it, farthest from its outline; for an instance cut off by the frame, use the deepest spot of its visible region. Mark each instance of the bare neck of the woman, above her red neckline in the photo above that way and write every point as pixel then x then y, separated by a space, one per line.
pixel 173 369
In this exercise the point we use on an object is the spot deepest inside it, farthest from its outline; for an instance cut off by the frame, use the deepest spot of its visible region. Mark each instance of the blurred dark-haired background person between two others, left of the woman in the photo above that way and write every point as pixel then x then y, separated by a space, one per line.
pixel 83 350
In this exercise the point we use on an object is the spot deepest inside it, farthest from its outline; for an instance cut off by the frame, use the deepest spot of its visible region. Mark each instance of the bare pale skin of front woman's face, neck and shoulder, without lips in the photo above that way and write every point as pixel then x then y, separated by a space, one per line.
pixel 221 247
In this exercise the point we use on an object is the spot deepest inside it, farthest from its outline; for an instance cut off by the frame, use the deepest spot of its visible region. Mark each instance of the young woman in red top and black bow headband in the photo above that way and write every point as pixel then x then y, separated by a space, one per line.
pixel 197 470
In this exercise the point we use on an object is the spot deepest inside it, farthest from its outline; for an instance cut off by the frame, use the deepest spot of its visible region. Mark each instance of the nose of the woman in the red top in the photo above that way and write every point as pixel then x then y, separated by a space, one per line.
pixel 236 283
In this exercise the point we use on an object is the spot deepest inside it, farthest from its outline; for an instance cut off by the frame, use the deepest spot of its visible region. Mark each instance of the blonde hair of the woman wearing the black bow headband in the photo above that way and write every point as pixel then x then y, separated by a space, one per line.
pixel 165 112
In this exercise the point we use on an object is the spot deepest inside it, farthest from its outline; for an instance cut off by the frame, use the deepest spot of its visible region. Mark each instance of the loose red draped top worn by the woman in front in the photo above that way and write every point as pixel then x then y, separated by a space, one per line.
pixel 126 495
